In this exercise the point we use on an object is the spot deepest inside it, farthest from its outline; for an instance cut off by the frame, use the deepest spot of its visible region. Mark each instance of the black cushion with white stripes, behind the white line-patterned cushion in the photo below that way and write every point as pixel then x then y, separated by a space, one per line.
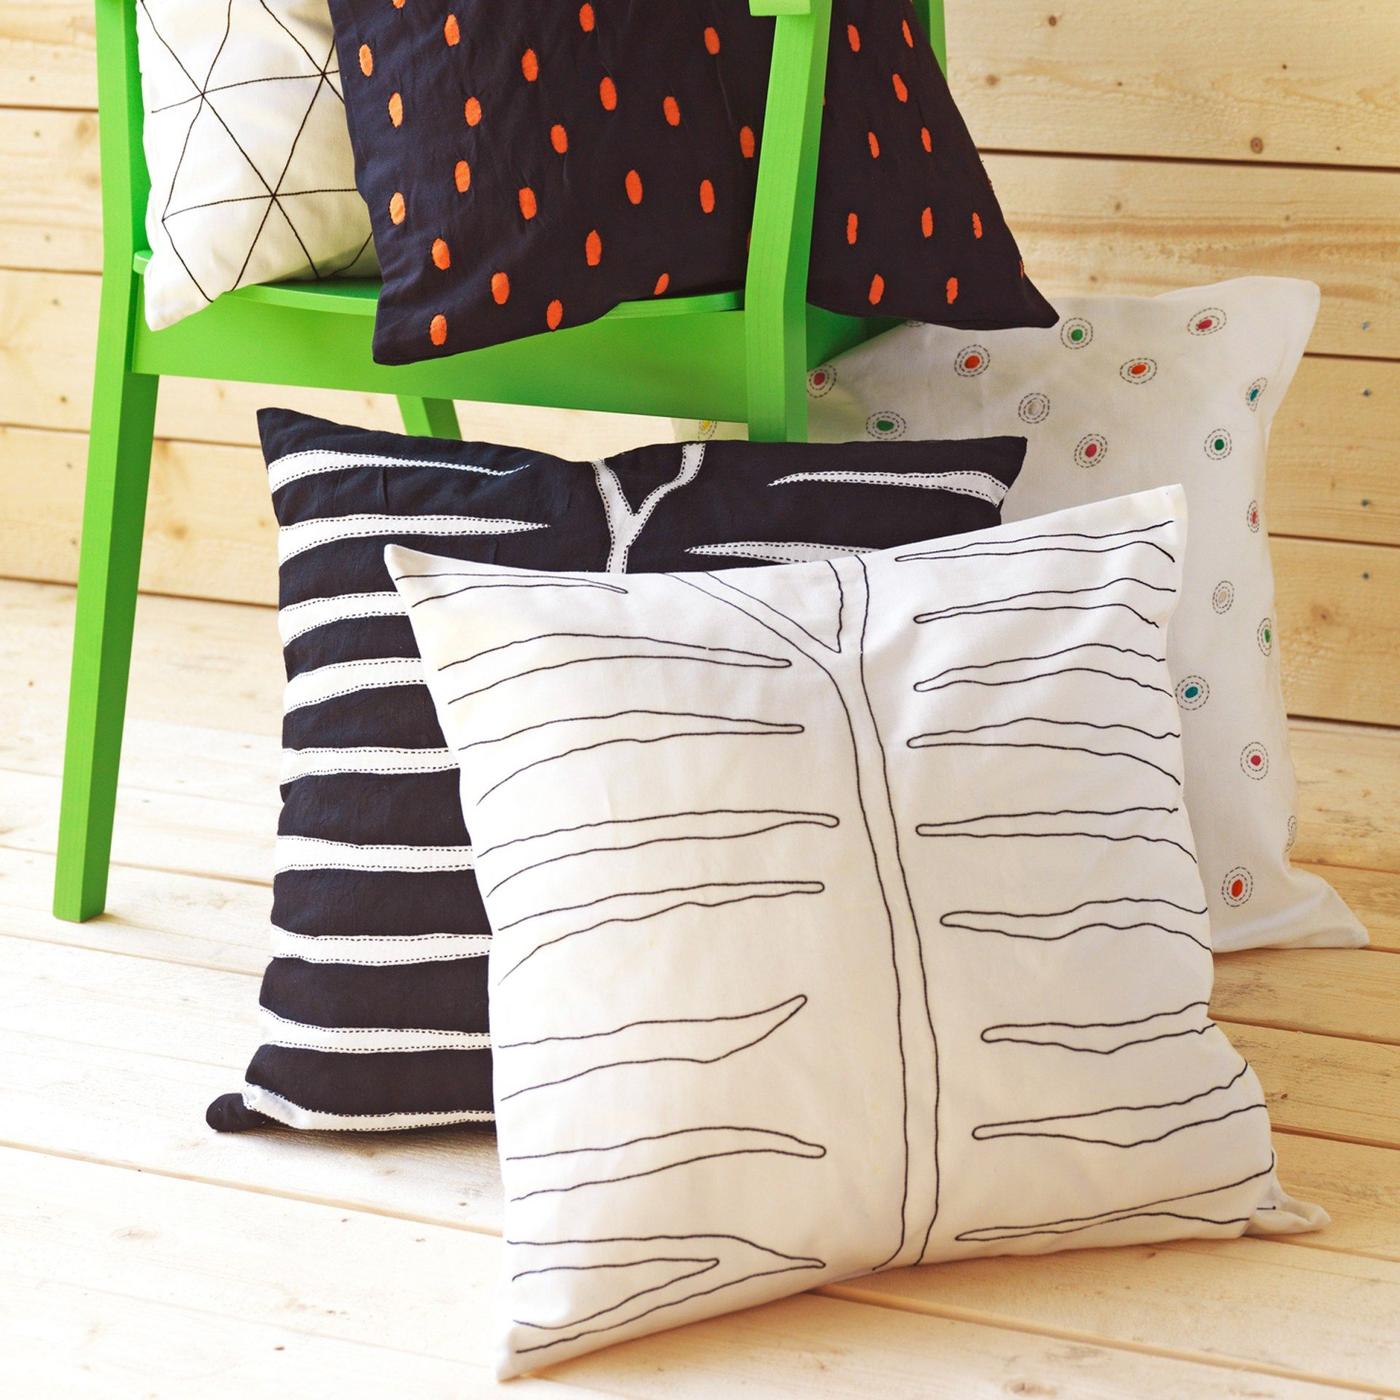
pixel 374 1006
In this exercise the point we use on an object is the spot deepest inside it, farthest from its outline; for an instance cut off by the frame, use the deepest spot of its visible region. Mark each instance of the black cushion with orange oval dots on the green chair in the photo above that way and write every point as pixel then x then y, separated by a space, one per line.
pixel 534 170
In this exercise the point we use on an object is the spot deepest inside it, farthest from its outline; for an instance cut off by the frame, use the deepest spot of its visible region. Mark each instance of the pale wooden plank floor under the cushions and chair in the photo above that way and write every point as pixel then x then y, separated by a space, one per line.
pixel 142 1255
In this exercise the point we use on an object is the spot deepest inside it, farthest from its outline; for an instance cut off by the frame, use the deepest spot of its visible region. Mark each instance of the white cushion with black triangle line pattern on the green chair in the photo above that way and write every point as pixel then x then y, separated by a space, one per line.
pixel 246 142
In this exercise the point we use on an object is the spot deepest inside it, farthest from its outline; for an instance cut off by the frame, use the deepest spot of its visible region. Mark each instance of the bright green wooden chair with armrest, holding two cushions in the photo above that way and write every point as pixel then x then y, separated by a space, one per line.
pixel 738 356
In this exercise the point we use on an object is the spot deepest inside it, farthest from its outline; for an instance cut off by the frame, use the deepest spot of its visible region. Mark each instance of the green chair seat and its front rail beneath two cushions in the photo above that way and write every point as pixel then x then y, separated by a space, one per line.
pixel 673 358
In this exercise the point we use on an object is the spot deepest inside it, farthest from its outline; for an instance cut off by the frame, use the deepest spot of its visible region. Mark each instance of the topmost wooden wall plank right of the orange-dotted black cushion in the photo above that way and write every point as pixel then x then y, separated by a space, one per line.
pixel 1280 82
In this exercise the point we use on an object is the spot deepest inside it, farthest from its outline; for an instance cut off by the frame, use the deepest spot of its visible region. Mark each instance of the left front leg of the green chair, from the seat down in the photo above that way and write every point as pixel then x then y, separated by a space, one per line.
pixel 114 516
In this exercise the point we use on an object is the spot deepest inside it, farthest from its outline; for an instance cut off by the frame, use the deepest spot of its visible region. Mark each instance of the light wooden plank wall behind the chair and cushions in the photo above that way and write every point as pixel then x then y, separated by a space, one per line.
pixel 1137 152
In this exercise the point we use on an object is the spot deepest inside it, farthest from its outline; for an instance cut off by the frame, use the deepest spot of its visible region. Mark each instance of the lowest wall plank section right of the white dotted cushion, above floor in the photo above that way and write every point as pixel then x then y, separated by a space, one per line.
pixel 1339 629
